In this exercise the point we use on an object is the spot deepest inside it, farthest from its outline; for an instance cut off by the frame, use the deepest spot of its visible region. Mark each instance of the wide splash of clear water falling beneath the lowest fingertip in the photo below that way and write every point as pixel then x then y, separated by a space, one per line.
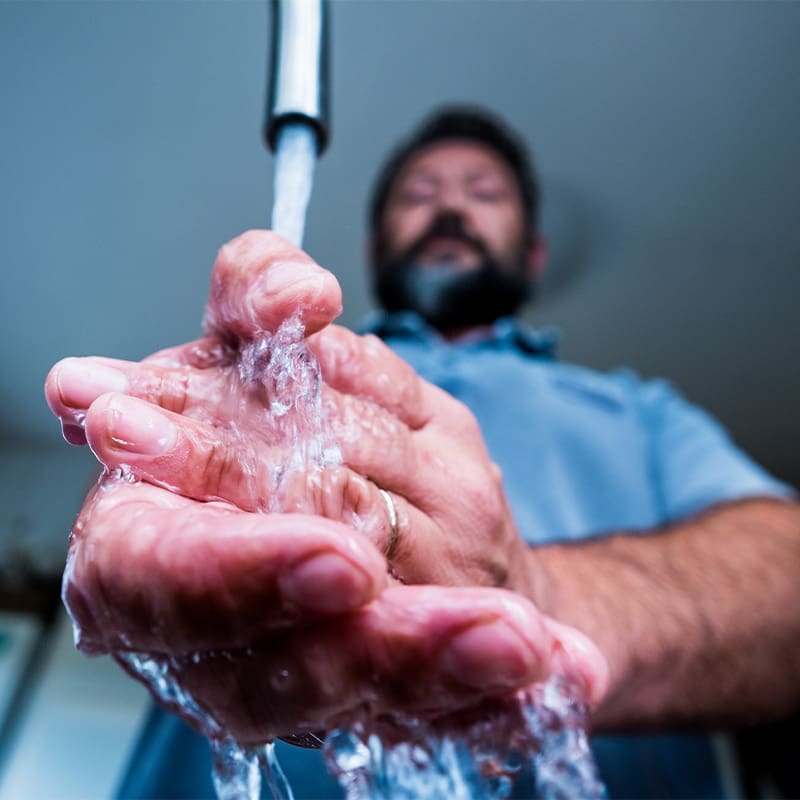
pixel 477 754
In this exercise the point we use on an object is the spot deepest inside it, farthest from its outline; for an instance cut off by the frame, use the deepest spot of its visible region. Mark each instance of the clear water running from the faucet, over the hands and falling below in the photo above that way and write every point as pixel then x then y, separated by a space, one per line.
pixel 471 755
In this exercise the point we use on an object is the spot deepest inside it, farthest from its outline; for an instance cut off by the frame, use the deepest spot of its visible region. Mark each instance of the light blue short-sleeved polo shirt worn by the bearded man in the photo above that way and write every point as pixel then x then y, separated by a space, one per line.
pixel 582 454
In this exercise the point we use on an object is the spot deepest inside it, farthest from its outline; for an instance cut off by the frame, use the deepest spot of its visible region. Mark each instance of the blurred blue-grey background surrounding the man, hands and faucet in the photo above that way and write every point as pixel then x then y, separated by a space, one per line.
pixel 667 136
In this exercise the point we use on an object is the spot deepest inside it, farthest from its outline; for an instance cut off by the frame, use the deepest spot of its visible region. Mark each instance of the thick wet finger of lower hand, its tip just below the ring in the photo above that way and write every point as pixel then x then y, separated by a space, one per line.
pixel 149 570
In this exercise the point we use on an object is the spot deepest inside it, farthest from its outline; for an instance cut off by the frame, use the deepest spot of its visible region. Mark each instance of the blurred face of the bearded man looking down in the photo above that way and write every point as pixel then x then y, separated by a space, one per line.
pixel 453 243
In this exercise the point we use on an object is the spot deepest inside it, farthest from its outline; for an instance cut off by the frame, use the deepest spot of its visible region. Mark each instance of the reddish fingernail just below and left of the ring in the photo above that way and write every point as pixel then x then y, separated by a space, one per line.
pixel 326 583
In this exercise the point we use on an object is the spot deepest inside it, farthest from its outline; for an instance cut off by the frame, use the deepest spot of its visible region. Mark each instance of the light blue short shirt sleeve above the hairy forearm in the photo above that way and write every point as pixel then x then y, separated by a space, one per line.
pixel 694 461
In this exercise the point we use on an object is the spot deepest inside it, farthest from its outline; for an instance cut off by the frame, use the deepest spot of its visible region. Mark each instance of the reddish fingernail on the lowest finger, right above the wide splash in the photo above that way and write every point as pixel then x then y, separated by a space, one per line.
pixel 490 656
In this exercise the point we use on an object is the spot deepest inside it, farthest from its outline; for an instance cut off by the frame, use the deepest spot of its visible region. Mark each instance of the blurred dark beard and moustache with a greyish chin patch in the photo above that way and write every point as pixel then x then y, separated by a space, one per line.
pixel 447 296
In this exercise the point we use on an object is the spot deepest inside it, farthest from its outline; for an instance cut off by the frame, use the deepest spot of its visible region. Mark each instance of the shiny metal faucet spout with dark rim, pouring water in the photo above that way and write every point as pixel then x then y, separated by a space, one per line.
pixel 298 79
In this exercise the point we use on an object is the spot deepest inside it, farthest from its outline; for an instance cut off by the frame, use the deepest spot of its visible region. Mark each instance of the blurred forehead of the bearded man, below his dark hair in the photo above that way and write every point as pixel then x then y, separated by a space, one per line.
pixel 458 158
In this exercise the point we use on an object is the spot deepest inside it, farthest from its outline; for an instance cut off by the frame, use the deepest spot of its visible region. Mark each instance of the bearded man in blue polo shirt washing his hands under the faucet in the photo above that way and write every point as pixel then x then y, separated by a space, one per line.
pixel 631 518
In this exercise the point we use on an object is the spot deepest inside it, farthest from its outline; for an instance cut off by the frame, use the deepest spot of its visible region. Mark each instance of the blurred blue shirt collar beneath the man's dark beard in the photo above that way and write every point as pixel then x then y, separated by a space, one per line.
pixel 540 342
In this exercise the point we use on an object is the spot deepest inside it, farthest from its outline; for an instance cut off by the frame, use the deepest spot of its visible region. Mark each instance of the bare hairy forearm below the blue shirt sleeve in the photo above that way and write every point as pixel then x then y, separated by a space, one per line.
pixel 700 621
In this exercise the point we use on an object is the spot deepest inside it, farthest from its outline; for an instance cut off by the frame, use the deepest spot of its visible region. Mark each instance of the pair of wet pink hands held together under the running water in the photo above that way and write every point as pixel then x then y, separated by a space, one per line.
pixel 186 561
